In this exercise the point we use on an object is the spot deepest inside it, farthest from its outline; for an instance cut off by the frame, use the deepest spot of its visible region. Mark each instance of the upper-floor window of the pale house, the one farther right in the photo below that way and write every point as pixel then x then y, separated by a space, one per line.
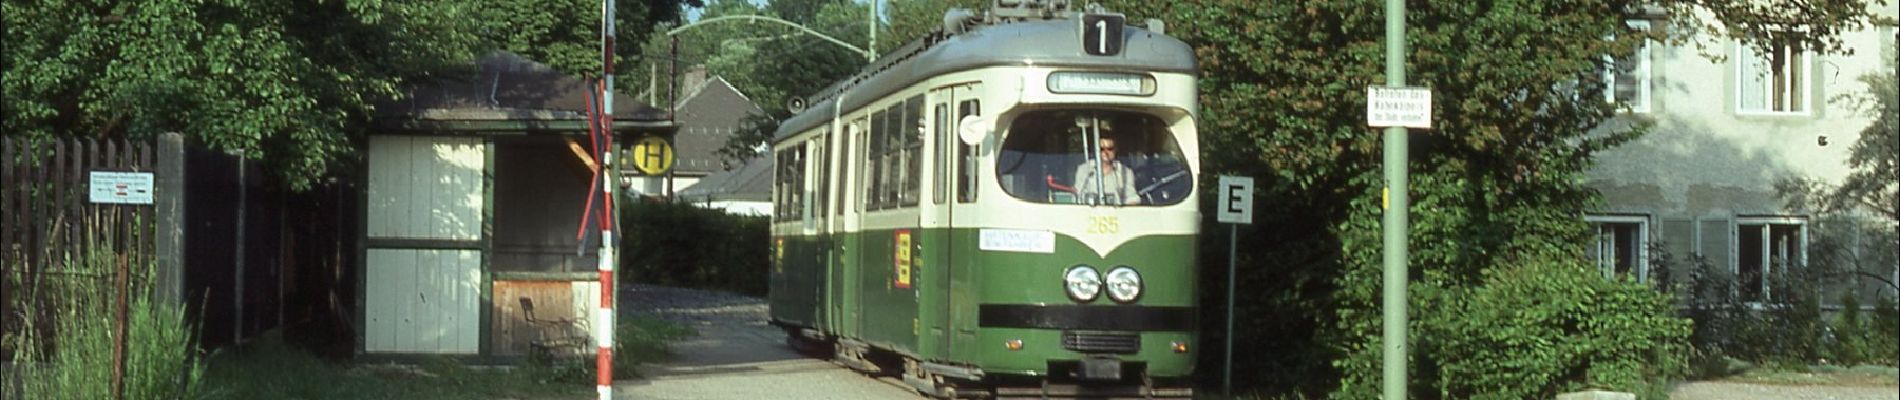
pixel 1774 81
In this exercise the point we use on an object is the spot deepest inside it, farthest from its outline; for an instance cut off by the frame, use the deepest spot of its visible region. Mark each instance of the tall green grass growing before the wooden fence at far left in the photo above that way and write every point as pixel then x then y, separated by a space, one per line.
pixel 77 361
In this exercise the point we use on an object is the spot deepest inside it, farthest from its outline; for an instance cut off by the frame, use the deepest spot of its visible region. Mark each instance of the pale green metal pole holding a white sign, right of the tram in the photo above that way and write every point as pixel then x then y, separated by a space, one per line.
pixel 1396 211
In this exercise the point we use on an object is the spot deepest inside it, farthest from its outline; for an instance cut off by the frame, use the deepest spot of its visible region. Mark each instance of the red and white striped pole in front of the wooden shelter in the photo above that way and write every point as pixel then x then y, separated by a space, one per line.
pixel 603 327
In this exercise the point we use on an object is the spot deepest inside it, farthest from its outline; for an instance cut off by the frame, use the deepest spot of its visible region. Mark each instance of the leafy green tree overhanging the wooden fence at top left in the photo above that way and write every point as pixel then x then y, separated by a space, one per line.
pixel 282 82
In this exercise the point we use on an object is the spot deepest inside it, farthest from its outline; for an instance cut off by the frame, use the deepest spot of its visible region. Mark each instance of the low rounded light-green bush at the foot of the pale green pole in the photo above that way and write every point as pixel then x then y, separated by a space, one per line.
pixel 1538 329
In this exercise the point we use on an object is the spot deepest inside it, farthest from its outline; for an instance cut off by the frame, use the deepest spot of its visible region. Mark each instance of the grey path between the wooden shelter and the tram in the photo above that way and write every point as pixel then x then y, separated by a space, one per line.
pixel 736 355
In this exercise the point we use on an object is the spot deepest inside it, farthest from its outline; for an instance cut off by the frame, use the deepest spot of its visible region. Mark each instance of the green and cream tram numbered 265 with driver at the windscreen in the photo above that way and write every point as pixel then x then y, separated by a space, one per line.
pixel 941 215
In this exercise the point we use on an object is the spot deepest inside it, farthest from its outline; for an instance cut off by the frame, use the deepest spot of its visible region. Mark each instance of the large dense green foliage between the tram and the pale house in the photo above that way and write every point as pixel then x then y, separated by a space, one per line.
pixel 1496 187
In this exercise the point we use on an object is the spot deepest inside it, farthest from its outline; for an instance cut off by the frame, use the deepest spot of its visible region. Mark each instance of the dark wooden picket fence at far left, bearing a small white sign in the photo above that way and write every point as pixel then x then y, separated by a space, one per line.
pixel 58 227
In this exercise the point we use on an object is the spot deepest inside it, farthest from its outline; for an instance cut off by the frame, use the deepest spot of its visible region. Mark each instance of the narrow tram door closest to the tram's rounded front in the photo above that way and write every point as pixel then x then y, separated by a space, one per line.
pixel 951 308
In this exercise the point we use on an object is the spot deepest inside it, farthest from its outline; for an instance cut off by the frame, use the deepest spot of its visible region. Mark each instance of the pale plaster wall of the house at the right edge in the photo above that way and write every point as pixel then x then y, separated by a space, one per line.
pixel 1707 172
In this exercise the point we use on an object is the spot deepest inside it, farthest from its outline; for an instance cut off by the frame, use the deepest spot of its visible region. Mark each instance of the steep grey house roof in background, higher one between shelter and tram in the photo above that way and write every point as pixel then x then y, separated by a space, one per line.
pixel 708 117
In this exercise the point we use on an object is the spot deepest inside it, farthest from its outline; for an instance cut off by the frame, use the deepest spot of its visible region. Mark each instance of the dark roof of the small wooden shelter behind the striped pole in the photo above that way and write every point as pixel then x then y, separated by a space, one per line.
pixel 512 94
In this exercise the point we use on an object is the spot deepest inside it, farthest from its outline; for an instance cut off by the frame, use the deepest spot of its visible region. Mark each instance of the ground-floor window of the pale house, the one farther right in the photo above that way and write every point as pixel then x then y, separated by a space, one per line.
pixel 1766 247
